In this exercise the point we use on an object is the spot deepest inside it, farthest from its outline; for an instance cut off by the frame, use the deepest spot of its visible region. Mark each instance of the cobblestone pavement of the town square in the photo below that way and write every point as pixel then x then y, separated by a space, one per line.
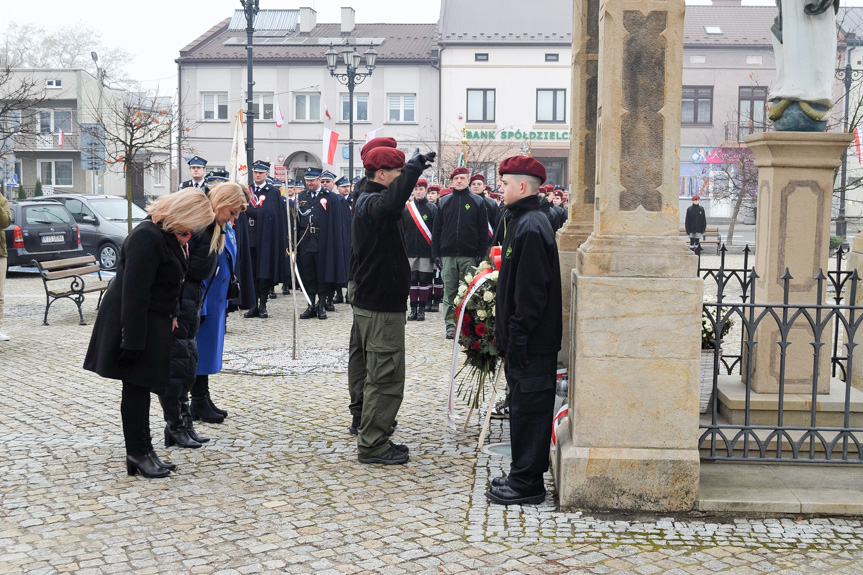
pixel 279 490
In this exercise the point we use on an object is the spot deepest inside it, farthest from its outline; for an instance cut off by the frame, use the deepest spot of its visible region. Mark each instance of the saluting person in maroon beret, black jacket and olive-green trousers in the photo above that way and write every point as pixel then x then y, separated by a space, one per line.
pixel 378 291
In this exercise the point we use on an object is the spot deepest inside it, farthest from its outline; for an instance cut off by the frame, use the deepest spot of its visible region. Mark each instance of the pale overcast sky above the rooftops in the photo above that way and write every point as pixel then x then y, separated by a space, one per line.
pixel 153 31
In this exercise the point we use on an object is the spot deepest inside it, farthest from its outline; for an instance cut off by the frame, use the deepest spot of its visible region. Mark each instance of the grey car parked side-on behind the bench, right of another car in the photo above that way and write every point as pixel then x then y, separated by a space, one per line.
pixel 103 223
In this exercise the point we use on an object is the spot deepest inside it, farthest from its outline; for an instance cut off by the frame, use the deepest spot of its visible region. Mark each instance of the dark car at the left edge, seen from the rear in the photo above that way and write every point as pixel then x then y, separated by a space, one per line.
pixel 41 231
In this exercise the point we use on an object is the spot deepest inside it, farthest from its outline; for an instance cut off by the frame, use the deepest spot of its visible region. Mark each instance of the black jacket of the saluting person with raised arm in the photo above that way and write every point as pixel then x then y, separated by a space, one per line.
pixel 378 258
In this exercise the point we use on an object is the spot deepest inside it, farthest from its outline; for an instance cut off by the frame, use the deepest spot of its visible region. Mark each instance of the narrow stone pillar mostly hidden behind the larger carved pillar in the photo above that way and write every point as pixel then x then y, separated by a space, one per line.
pixel 582 173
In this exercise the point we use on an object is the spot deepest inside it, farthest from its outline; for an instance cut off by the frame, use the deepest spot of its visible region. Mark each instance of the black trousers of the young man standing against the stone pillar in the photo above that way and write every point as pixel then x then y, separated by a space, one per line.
pixel 531 411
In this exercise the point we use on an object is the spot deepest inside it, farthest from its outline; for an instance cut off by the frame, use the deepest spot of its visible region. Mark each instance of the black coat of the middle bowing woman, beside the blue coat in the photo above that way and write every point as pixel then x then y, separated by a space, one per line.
pixel 184 349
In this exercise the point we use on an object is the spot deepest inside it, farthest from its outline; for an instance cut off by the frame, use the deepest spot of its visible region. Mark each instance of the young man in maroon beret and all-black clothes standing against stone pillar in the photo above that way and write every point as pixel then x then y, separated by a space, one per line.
pixel 528 328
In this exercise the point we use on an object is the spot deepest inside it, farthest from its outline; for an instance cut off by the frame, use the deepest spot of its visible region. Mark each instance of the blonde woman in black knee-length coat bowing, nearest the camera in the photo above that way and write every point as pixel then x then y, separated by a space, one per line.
pixel 131 338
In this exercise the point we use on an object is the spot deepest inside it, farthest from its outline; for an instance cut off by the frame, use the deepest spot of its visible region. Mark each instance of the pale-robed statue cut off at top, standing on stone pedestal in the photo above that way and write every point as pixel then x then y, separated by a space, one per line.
pixel 804 43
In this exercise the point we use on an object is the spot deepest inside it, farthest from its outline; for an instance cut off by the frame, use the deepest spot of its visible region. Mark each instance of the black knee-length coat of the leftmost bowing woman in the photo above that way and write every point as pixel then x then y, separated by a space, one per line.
pixel 138 309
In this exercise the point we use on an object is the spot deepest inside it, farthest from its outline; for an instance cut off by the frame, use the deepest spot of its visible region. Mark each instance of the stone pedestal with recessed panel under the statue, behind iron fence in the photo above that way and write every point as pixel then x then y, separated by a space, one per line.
pixel 795 191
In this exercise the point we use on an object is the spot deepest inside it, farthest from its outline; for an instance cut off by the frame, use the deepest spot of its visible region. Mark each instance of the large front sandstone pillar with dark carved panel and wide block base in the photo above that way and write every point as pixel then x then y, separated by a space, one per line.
pixel 631 440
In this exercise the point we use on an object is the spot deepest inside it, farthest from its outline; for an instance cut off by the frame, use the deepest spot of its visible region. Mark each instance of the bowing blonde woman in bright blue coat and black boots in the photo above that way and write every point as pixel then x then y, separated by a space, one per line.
pixel 228 200
